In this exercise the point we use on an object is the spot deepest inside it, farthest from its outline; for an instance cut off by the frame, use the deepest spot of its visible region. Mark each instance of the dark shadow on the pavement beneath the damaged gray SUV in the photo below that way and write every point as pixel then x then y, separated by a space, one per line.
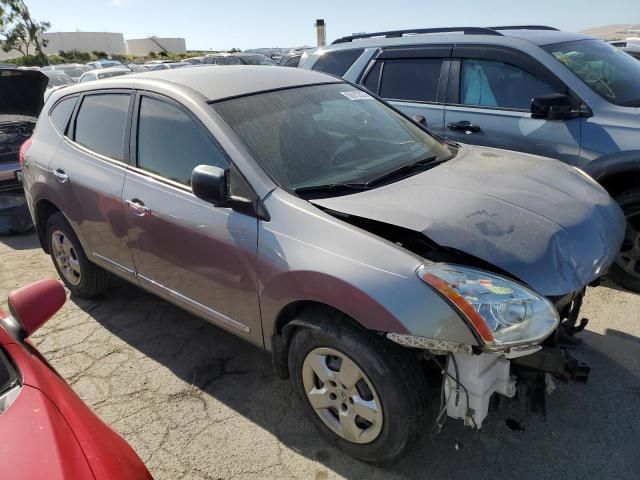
pixel 591 430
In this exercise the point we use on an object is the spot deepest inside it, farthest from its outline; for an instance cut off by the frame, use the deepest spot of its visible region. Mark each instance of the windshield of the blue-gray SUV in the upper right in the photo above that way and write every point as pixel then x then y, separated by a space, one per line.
pixel 609 72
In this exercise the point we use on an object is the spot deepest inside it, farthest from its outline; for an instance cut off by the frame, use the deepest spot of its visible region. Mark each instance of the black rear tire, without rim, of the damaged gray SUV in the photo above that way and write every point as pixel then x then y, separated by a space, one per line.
pixel 93 279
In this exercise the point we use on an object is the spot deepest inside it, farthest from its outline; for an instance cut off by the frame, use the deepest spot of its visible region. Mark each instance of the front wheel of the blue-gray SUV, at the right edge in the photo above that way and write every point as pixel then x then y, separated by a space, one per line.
pixel 626 270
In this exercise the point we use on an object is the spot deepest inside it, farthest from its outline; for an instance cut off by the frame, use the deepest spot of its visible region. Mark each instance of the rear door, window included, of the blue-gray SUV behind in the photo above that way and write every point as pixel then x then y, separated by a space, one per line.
pixel 412 79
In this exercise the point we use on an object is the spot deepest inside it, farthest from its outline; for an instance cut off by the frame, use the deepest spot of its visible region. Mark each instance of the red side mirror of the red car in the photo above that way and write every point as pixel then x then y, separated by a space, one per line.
pixel 32 305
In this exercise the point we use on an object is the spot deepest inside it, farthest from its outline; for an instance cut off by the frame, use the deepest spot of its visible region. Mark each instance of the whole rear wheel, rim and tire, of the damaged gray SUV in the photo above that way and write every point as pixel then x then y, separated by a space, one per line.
pixel 80 276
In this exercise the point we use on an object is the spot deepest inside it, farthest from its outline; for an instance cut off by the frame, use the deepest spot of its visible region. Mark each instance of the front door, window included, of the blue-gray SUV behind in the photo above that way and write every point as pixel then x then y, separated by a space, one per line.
pixel 489 103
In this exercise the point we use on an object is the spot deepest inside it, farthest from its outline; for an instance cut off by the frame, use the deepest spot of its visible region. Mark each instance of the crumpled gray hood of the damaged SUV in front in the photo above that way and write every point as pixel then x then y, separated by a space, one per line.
pixel 541 221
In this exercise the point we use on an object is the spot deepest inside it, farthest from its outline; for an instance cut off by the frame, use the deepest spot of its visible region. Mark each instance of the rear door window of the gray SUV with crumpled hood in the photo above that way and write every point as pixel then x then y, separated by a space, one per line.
pixel 101 123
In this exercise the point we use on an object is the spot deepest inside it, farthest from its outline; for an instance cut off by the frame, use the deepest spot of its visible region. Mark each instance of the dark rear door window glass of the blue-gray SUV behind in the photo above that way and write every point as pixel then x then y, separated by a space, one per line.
pixel 413 79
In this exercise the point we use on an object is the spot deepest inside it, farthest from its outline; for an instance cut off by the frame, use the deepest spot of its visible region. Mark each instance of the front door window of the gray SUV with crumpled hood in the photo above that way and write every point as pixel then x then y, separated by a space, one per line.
pixel 171 144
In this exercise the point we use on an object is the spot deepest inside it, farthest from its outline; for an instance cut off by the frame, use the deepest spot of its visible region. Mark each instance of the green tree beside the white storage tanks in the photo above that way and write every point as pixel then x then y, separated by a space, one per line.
pixel 20 31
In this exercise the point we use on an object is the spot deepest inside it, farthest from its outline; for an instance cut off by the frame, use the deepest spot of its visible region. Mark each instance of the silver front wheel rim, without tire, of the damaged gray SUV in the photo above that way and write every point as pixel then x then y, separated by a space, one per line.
pixel 342 395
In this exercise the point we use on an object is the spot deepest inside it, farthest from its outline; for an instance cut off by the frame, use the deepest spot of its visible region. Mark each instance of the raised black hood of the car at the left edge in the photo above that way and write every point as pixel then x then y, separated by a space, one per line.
pixel 22 92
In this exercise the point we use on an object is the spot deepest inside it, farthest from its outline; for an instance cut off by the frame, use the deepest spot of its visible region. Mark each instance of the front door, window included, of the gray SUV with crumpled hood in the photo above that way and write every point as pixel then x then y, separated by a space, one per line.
pixel 191 253
